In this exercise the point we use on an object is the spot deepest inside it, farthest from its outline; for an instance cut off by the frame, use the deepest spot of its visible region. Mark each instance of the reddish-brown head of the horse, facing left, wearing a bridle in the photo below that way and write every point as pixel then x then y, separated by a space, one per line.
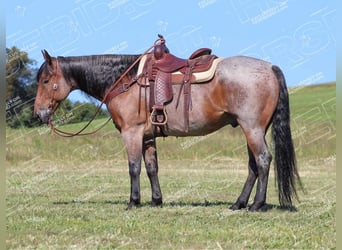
pixel 52 88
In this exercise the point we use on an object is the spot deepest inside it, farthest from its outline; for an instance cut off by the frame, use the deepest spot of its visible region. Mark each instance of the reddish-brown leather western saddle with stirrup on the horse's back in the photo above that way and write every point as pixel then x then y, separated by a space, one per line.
pixel 162 69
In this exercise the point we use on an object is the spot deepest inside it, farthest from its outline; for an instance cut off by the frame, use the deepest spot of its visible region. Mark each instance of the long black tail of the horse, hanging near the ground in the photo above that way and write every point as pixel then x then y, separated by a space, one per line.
pixel 285 157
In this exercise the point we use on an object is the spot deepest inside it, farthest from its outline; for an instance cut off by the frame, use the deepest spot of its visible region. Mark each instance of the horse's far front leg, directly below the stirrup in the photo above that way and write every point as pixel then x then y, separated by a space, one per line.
pixel 151 163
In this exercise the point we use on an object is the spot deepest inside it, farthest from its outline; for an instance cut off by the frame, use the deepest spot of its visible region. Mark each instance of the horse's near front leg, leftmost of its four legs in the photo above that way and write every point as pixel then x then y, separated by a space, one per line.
pixel 133 142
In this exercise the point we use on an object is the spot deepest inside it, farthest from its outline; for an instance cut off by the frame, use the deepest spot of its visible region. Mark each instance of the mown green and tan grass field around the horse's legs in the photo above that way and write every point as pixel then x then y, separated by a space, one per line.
pixel 72 193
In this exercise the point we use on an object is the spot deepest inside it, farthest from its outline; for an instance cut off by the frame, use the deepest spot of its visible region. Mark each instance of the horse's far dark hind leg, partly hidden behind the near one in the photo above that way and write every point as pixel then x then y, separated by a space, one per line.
pixel 242 201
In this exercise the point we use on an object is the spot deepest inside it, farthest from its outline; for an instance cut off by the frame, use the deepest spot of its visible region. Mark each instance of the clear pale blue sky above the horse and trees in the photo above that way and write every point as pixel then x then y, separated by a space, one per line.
pixel 297 35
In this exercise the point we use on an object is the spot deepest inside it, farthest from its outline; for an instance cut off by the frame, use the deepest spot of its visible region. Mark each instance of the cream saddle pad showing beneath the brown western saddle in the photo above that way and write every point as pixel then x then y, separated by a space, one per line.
pixel 196 77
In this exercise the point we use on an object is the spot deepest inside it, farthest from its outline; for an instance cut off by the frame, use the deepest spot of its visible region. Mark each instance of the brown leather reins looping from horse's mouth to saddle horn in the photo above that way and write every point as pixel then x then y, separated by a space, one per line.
pixel 79 133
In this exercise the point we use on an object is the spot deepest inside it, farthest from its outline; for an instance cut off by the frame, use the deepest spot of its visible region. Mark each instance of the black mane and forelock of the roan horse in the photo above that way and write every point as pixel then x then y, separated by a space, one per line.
pixel 94 74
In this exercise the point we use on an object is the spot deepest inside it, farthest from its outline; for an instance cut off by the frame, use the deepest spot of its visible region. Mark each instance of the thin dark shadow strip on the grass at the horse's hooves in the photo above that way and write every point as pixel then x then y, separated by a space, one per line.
pixel 205 203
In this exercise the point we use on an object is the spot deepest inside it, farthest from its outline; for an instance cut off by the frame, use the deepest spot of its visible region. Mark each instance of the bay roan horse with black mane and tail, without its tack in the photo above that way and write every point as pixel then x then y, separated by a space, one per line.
pixel 244 91
